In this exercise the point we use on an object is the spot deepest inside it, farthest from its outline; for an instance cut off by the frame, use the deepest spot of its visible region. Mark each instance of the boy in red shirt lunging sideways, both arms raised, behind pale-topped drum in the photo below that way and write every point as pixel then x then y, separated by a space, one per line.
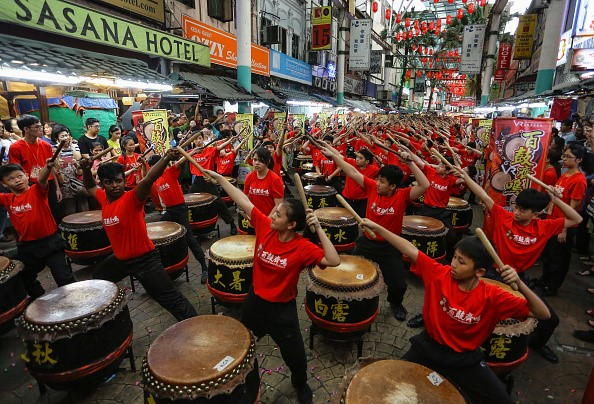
pixel 133 251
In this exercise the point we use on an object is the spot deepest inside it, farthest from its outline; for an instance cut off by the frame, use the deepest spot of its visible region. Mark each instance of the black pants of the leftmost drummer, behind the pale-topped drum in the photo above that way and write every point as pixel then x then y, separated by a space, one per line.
pixel 38 254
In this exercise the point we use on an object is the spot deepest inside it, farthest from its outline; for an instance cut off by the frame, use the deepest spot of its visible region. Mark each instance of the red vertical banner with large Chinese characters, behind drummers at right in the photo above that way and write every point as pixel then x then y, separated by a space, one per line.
pixel 518 147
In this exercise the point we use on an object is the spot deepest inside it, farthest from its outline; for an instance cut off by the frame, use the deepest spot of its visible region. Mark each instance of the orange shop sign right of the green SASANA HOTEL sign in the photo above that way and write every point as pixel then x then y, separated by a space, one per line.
pixel 223 46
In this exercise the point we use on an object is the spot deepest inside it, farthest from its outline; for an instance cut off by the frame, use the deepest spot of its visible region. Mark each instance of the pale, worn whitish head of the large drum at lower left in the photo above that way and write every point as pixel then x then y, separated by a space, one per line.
pixel 71 302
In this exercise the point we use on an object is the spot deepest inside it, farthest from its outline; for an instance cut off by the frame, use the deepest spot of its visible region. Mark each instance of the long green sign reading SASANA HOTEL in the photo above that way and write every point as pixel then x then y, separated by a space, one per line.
pixel 72 20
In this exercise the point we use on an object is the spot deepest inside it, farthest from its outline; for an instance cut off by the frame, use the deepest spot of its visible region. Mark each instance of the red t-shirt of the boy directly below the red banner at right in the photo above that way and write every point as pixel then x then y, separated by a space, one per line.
pixel 520 246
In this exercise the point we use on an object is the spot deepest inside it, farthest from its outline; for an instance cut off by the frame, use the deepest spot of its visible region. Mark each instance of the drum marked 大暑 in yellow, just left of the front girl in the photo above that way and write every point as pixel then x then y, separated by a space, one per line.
pixel 230 268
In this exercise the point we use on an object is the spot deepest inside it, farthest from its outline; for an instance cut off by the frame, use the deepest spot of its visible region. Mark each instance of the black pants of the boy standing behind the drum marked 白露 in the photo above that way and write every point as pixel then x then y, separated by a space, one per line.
pixel 390 262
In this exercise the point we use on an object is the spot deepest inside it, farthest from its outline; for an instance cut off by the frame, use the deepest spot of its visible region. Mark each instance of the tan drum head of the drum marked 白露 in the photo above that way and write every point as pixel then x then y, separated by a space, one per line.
pixel 353 272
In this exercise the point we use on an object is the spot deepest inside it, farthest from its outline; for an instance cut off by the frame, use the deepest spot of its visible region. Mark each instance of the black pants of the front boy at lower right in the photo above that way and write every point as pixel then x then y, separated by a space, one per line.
pixel 468 370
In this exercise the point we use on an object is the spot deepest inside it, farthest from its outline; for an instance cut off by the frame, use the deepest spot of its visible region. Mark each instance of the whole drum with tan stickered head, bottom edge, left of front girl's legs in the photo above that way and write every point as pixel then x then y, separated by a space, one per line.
pixel 204 359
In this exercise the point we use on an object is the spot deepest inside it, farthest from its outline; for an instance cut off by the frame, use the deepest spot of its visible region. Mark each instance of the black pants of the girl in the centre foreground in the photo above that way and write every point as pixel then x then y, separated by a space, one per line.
pixel 280 321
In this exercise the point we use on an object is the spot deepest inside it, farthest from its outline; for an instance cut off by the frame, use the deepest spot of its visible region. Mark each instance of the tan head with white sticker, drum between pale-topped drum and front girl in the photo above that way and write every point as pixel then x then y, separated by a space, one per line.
pixel 198 350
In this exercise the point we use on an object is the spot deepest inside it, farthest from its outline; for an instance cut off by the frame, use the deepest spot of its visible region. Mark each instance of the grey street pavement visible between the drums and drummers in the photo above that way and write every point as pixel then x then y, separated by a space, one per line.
pixel 536 380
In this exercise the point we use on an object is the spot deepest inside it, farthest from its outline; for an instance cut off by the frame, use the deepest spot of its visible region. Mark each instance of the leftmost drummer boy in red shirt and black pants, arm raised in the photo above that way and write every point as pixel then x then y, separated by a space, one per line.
pixel 40 243
